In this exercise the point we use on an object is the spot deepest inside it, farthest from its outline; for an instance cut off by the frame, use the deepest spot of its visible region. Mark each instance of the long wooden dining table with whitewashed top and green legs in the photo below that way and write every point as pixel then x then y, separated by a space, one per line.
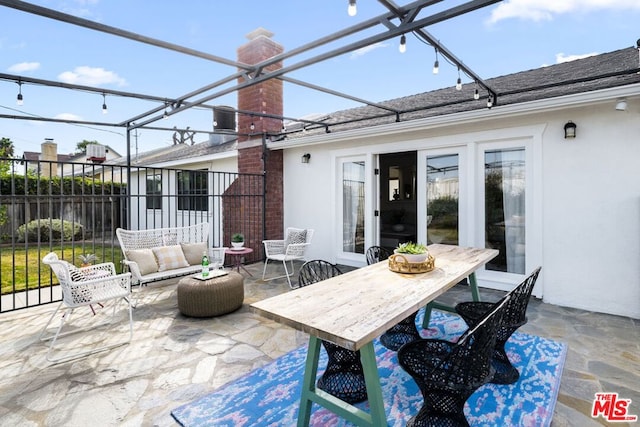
pixel 354 308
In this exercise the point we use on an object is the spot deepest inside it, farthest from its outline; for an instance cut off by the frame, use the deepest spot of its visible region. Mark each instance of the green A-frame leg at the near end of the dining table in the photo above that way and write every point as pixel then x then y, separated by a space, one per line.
pixel 377 416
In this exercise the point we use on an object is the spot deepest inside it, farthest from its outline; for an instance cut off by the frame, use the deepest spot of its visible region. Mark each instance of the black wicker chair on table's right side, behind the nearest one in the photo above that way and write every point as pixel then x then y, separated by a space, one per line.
pixel 515 316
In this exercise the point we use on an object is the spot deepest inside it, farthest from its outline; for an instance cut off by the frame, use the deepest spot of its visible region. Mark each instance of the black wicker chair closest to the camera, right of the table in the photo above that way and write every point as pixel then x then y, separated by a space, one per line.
pixel 448 373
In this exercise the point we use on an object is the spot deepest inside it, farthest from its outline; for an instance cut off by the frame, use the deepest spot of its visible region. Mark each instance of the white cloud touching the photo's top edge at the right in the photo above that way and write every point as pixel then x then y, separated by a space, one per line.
pixel 541 10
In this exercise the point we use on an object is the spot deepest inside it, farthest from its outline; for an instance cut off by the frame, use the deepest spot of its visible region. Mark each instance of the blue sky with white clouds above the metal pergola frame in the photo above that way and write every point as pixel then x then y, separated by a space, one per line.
pixel 511 36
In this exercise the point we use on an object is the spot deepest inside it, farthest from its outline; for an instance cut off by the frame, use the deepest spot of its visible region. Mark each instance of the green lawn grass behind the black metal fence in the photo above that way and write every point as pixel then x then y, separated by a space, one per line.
pixel 20 266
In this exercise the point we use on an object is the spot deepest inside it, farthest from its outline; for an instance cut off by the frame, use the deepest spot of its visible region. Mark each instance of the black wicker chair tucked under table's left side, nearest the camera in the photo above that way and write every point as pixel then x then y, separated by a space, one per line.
pixel 344 375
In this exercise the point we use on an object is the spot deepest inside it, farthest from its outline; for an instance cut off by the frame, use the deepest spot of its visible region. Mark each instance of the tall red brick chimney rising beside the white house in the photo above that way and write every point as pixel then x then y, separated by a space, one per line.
pixel 265 97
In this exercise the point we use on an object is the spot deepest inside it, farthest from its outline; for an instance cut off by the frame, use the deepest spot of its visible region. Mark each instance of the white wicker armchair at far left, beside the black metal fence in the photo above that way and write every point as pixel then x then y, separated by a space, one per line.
pixel 82 287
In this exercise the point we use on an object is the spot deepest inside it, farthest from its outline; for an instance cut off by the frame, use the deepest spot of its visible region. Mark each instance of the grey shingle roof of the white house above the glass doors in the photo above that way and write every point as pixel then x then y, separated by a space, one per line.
pixel 608 70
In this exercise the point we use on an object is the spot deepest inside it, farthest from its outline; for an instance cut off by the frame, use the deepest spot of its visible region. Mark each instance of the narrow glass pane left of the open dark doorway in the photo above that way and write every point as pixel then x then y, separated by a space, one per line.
pixel 353 175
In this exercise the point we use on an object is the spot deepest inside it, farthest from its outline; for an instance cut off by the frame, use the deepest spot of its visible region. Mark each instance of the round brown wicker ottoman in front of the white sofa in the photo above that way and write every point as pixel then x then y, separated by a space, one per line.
pixel 212 297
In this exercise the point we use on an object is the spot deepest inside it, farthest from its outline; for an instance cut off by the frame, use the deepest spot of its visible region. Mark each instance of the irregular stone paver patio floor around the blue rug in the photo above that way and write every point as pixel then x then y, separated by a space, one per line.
pixel 174 359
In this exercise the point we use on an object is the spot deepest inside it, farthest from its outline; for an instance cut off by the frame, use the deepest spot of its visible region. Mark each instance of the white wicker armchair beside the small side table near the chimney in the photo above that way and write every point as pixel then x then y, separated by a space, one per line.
pixel 291 248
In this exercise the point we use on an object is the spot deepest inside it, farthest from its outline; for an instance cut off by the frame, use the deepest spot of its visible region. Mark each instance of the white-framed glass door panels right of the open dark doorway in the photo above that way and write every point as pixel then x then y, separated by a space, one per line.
pixel 478 195
